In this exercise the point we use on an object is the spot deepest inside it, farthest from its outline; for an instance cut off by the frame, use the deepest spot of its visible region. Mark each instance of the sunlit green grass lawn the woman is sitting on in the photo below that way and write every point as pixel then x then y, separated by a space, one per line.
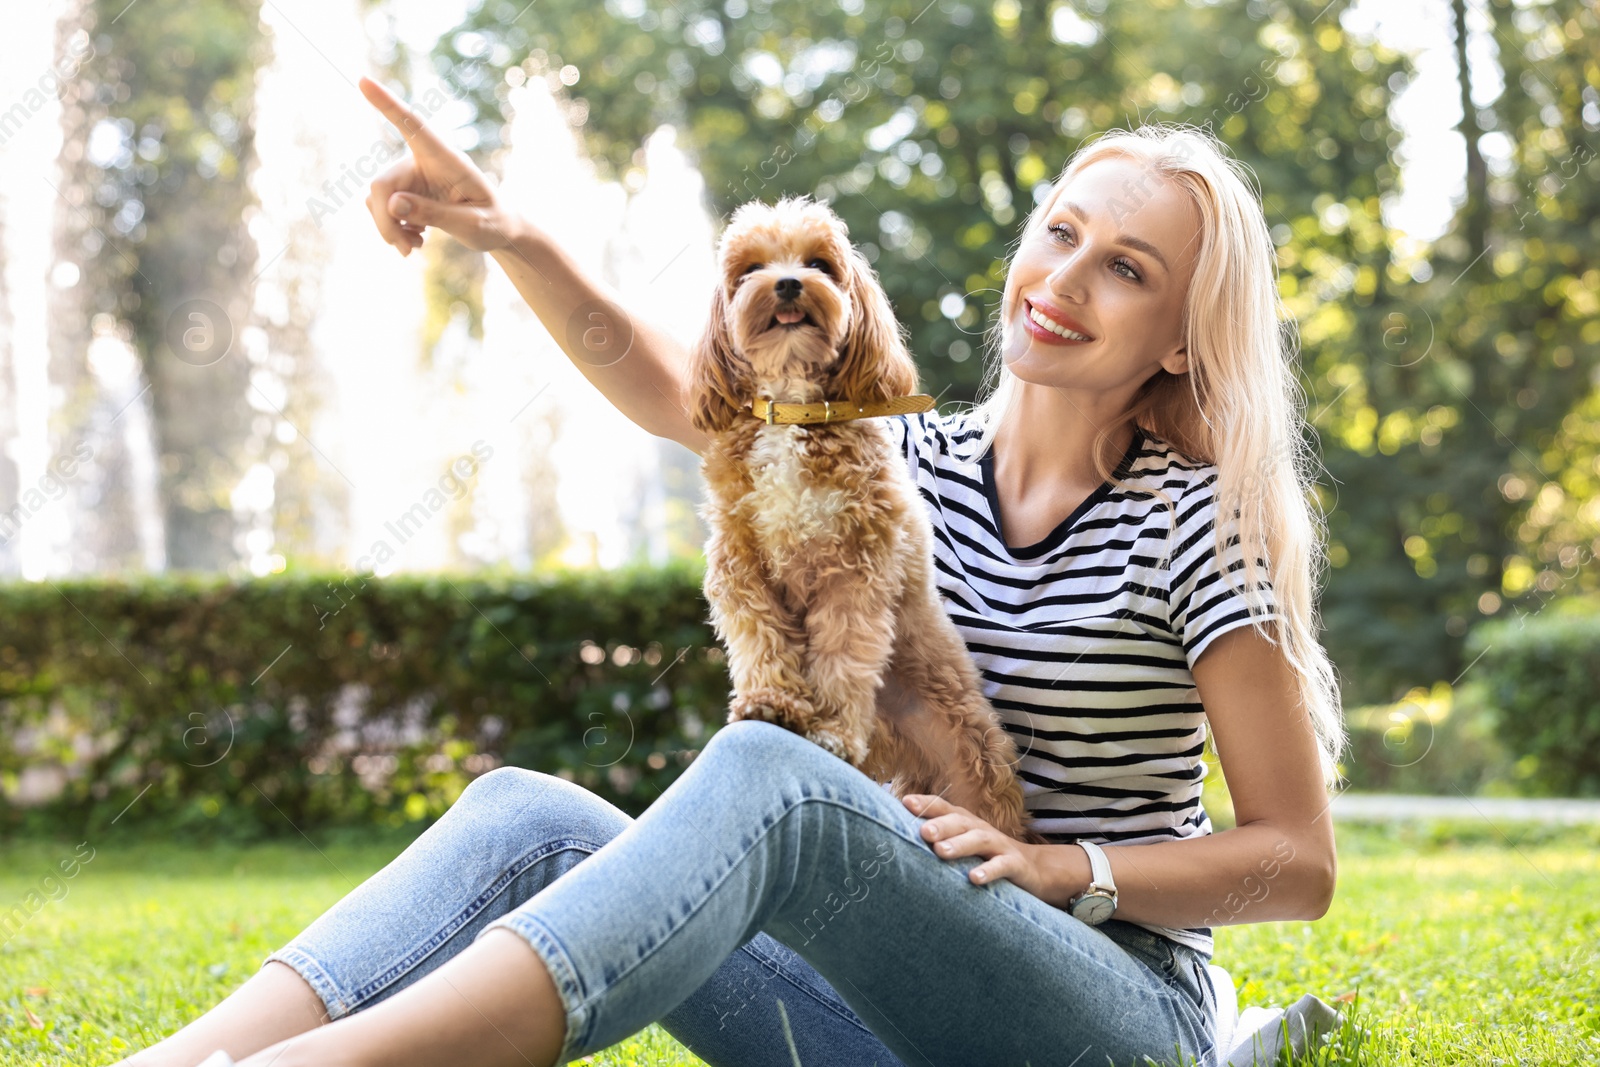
pixel 1462 946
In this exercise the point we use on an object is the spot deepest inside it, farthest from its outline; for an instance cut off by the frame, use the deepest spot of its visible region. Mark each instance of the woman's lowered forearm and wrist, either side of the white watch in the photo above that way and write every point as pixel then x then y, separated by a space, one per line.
pixel 1250 874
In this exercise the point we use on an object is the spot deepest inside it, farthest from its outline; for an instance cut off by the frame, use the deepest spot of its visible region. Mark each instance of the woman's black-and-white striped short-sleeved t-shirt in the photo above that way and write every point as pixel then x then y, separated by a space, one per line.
pixel 1086 641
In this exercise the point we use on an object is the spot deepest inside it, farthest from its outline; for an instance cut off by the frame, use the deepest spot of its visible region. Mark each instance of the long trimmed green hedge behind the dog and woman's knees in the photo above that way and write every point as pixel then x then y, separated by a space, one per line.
pixel 313 701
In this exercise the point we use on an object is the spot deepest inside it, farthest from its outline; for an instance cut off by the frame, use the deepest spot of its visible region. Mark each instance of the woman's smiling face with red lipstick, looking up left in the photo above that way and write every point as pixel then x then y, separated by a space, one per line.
pixel 1095 297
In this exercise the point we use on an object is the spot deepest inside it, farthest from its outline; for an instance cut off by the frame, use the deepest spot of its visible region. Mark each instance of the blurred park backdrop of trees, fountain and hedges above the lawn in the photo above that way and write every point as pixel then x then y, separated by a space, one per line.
pixel 298 533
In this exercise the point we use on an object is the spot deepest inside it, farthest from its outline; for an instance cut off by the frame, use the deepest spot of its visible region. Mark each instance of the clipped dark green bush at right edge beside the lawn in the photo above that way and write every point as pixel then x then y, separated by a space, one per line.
pixel 1543 679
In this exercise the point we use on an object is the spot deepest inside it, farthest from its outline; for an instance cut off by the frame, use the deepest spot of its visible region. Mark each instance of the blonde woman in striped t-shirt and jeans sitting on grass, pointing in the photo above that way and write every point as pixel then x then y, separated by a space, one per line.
pixel 775 906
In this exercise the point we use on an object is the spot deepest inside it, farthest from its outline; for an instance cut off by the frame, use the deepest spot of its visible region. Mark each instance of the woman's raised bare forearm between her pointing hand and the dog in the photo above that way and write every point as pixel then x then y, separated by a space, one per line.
pixel 638 367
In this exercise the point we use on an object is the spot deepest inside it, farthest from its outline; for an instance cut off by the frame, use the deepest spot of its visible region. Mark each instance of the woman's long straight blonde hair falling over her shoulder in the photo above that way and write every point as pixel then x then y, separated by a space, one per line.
pixel 1239 407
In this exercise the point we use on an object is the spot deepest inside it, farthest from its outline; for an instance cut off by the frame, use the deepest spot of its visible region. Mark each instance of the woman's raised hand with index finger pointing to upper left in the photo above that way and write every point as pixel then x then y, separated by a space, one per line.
pixel 433 185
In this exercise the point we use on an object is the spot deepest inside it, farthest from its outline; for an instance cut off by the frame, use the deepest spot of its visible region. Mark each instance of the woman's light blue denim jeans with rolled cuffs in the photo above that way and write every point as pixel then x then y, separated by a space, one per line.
pixel 769 874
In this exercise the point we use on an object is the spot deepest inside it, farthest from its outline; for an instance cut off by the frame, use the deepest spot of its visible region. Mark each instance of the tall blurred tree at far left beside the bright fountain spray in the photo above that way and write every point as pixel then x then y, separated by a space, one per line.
pixel 156 162
